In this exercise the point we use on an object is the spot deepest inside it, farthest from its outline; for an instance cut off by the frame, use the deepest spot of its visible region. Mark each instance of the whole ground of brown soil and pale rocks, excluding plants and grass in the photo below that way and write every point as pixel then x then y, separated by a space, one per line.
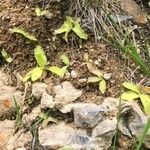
pixel 52 112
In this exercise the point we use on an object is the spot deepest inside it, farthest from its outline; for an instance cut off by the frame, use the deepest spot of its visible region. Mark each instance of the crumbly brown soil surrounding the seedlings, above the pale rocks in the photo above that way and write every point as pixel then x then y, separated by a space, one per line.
pixel 21 13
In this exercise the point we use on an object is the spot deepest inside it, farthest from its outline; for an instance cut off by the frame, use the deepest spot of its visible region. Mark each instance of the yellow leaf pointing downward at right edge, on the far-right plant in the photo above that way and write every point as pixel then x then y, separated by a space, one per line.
pixel 145 100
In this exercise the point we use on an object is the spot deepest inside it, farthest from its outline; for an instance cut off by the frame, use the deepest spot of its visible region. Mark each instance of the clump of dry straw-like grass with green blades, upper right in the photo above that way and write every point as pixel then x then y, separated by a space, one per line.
pixel 102 19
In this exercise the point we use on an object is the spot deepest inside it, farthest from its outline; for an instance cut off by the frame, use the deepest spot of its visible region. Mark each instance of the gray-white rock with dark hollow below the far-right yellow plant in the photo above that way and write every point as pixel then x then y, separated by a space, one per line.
pixel 132 119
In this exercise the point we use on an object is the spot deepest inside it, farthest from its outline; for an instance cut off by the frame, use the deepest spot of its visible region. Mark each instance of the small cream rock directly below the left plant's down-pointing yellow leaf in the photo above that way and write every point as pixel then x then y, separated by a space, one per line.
pixel 38 88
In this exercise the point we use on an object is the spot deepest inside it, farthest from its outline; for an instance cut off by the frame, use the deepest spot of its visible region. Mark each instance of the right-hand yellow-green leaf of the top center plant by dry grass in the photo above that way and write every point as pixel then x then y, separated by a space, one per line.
pixel 79 31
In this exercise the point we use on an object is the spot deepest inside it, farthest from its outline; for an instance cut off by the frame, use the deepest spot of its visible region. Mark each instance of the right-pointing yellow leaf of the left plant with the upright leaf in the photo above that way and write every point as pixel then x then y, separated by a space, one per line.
pixel 58 71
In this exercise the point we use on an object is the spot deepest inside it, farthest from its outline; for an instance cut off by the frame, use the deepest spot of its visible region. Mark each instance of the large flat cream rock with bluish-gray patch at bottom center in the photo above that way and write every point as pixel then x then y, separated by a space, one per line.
pixel 56 136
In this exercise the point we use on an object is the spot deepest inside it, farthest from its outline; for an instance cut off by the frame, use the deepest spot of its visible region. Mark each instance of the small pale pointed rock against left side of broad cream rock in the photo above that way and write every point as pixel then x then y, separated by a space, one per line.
pixel 47 101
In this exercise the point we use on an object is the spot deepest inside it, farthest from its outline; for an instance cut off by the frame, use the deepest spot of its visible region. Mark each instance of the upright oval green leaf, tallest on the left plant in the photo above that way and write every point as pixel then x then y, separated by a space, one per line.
pixel 40 56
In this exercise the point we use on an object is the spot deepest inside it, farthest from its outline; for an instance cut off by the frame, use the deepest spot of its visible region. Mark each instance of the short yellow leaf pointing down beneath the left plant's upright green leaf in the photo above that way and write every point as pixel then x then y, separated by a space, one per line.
pixel 36 73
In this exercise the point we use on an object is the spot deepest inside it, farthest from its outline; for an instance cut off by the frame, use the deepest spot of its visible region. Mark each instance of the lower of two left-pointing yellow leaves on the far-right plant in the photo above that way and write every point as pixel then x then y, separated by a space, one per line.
pixel 129 96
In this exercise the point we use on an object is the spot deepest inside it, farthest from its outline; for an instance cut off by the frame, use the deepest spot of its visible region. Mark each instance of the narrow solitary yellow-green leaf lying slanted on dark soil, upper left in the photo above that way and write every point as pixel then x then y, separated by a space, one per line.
pixel 24 33
